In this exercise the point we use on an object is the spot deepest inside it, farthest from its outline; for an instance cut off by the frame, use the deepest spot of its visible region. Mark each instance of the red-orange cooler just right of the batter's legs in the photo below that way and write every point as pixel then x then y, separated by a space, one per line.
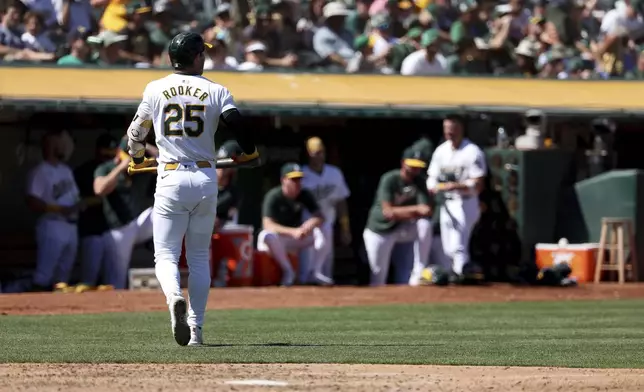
pixel 231 256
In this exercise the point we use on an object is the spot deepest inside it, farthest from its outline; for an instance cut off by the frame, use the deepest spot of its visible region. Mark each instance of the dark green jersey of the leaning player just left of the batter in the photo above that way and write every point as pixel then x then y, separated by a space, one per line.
pixel 125 203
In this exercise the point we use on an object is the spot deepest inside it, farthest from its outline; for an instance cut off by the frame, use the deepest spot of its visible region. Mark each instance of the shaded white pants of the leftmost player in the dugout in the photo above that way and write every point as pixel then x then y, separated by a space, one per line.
pixel 57 243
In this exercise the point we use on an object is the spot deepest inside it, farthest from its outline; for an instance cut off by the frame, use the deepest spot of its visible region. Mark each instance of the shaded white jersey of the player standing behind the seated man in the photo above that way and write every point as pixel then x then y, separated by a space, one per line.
pixel 328 187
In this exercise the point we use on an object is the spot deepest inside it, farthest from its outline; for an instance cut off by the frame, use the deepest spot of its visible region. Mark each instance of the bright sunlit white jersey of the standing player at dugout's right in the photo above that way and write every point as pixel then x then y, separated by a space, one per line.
pixel 467 162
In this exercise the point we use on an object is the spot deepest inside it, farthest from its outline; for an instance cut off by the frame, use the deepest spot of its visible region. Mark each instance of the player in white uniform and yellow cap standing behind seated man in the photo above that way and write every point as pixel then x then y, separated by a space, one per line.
pixel 326 182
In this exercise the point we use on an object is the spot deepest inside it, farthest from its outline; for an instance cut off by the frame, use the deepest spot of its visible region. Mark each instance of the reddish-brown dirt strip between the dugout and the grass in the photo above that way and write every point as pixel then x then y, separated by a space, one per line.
pixel 262 298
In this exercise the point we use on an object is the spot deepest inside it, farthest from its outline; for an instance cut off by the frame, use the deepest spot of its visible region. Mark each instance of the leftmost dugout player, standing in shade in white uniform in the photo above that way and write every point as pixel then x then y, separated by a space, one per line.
pixel 53 193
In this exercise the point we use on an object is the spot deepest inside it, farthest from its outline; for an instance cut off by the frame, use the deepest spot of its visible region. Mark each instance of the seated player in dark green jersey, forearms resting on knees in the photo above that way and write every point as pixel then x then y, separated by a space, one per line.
pixel 283 230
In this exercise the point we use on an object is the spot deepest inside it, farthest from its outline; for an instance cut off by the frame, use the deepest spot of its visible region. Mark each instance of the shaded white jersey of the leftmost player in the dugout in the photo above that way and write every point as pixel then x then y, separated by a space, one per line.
pixel 53 184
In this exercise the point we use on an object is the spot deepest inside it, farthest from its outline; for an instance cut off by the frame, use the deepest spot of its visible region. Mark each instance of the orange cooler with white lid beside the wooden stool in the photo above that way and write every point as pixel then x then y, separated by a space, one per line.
pixel 580 257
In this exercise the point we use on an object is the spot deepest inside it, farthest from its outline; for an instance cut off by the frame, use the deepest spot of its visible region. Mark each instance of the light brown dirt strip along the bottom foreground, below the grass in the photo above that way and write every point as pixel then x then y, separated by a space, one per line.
pixel 311 377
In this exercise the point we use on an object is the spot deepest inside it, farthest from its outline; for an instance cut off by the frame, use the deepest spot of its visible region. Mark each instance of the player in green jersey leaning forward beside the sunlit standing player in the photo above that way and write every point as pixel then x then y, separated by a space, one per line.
pixel 401 199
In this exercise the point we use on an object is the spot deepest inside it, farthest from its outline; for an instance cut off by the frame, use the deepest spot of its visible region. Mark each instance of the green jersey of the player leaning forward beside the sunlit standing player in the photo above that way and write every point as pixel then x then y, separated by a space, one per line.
pixel 393 189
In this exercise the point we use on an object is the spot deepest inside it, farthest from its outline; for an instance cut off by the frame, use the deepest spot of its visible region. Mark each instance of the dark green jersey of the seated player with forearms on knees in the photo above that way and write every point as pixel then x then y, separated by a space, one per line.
pixel 288 212
